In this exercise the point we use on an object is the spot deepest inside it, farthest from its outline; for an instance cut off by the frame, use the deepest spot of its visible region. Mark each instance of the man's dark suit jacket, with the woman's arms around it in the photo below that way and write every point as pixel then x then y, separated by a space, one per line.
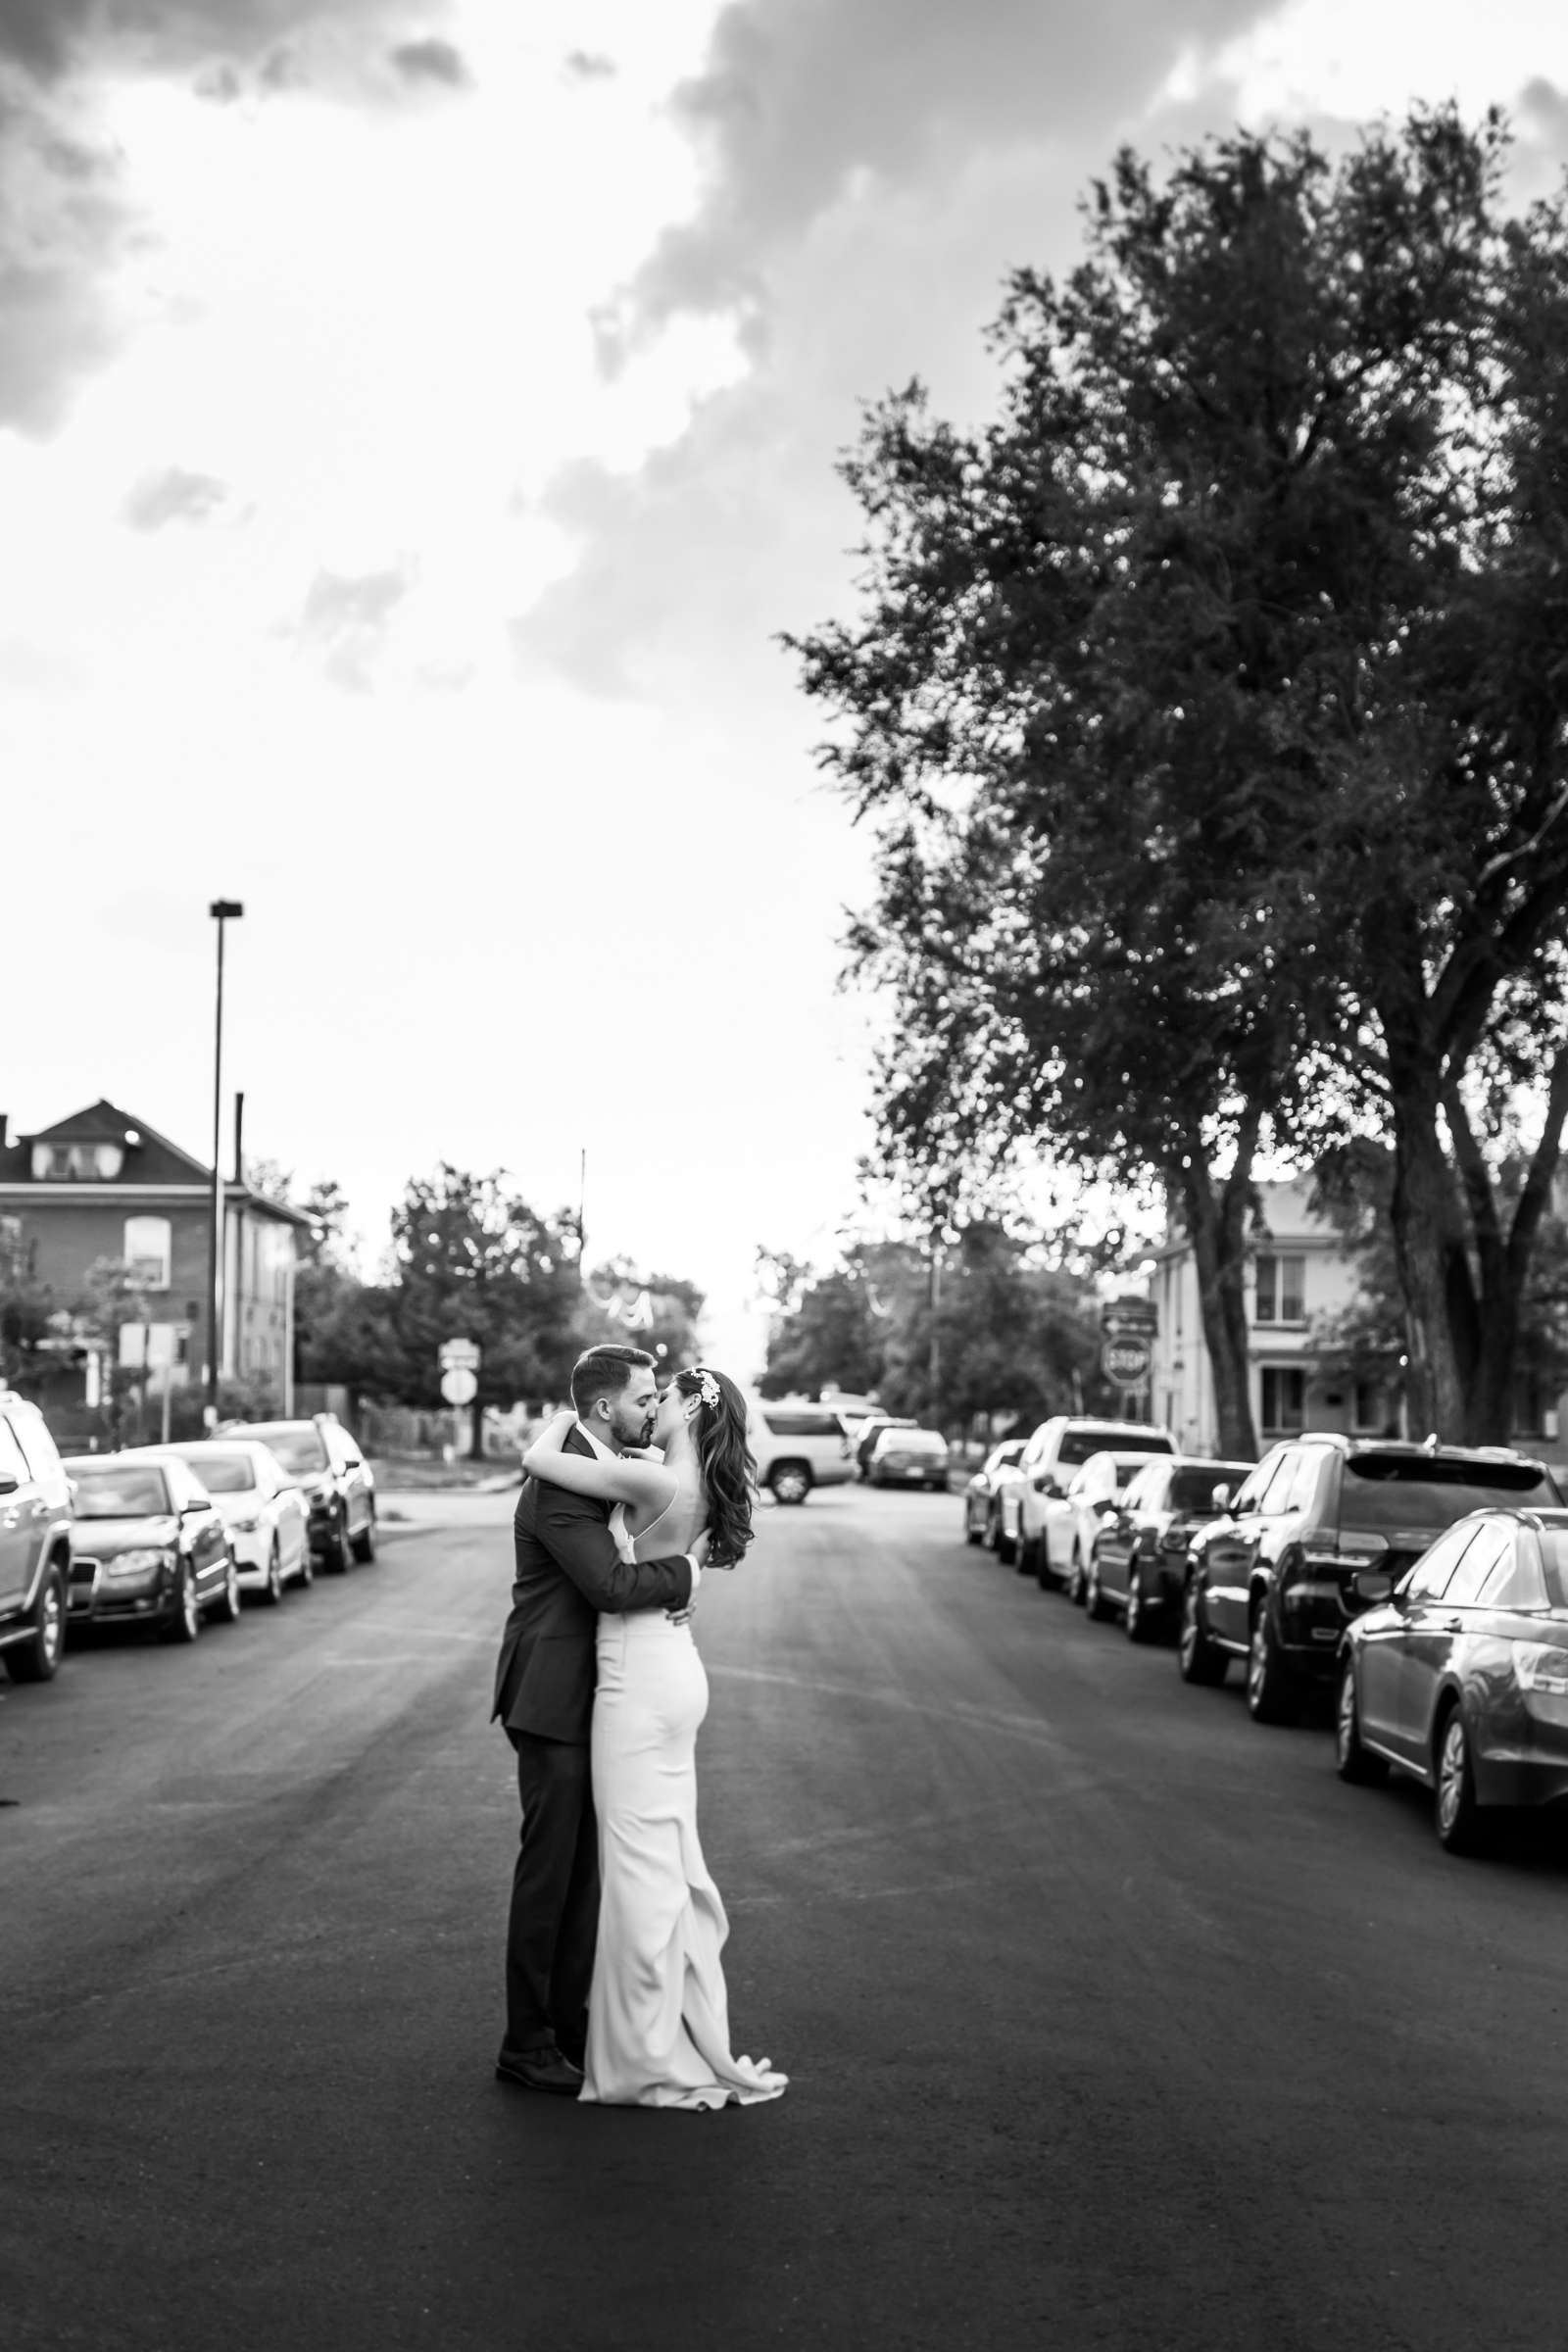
pixel 568 1575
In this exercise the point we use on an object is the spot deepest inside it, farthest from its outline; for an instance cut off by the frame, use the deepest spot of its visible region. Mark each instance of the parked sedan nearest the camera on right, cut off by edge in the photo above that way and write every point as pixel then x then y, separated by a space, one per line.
pixel 1461 1673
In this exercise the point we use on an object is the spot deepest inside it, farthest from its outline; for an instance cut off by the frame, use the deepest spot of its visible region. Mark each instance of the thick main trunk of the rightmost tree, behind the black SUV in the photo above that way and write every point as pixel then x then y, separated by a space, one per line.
pixel 1433 1264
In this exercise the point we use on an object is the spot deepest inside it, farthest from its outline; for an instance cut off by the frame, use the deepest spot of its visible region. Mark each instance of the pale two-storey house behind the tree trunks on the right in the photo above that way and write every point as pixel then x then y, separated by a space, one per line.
pixel 1299 1274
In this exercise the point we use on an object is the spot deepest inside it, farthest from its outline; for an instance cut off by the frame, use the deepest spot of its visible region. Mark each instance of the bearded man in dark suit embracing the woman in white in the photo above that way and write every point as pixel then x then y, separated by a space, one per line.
pixel 568 1572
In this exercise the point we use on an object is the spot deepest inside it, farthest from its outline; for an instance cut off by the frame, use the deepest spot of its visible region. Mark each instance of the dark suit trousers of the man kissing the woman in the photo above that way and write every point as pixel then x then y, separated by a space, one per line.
pixel 556 1899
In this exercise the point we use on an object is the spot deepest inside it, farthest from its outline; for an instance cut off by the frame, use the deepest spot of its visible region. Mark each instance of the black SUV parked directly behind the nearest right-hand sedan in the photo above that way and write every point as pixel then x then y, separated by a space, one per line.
pixel 1282 1575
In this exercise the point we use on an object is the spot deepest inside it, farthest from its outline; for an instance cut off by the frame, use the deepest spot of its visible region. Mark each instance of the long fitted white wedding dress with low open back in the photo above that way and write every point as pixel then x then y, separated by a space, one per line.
pixel 659 2012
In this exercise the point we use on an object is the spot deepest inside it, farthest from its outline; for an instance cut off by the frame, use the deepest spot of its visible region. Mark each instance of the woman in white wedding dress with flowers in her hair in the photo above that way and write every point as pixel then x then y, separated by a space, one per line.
pixel 659 2014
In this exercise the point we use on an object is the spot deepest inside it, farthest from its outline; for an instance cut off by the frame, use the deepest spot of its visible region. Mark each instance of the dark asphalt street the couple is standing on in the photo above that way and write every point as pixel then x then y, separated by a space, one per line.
pixel 1111 2019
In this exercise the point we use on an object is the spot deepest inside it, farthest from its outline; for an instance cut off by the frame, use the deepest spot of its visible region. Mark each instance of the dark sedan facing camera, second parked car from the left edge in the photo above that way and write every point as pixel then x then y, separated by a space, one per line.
pixel 147 1544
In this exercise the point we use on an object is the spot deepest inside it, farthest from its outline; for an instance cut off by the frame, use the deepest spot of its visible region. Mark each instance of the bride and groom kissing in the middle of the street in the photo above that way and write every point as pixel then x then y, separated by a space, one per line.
pixel 615 1989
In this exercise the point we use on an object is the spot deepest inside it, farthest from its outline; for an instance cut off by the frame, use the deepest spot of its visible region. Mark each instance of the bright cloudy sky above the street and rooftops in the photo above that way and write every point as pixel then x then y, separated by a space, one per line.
pixel 415 427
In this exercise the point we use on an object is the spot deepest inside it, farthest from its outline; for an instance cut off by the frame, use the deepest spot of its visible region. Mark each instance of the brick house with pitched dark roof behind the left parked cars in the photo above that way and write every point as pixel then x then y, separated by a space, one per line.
pixel 107 1187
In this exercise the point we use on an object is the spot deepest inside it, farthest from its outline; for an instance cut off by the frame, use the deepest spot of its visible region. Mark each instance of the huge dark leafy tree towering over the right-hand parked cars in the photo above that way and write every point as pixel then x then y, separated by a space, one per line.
pixel 1209 709
